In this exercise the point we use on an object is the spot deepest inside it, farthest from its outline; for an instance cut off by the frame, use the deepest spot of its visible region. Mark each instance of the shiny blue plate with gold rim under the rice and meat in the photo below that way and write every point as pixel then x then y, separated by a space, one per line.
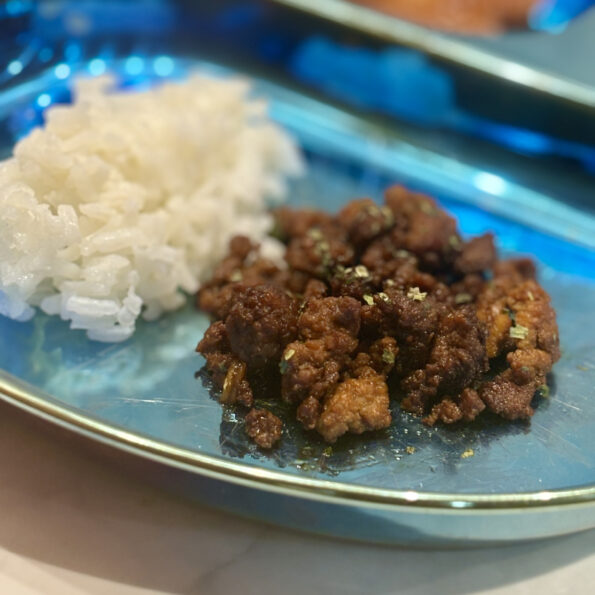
pixel 407 484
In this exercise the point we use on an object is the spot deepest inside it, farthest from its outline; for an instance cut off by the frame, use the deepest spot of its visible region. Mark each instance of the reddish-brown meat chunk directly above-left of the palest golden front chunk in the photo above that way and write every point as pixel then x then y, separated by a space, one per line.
pixel 311 366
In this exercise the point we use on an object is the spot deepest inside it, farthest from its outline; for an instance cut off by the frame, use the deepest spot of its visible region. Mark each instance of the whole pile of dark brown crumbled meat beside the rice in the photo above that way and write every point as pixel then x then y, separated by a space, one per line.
pixel 371 293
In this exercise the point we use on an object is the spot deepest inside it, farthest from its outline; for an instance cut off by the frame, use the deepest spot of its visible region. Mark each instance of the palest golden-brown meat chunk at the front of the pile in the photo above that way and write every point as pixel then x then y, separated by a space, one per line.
pixel 357 405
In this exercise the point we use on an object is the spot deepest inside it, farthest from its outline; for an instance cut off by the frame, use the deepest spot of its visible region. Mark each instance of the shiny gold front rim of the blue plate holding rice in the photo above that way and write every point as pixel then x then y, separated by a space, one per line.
pixel 19 393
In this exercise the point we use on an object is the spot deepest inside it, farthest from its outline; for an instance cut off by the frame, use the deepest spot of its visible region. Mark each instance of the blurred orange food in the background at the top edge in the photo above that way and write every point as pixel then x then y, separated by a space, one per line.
pixel 460 16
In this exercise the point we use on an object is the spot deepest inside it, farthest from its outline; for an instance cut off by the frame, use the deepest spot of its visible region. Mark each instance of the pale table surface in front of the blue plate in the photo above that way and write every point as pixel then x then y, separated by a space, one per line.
pixel 72 523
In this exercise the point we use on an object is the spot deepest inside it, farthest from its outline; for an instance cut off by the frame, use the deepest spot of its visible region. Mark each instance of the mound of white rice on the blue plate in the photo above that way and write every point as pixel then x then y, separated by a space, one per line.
pixel 125 200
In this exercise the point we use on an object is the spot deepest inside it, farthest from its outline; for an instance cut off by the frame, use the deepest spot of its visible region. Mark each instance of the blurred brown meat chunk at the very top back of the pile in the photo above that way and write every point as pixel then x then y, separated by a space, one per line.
pixel 422 228
